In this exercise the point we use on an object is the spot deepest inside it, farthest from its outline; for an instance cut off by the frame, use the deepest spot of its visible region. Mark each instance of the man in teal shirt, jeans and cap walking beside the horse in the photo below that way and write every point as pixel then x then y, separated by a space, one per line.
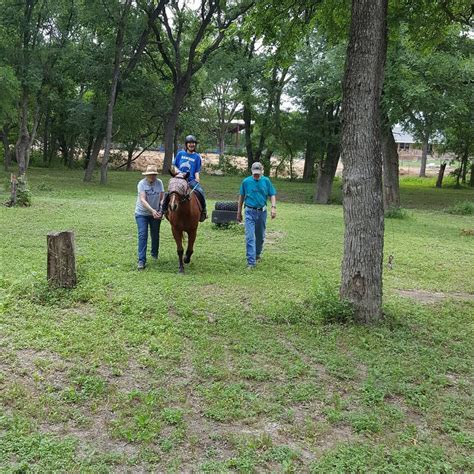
pixel 253 195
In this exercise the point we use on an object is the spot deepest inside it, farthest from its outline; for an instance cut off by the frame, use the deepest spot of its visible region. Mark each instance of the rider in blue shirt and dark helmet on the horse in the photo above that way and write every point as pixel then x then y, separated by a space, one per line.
pixel 188 161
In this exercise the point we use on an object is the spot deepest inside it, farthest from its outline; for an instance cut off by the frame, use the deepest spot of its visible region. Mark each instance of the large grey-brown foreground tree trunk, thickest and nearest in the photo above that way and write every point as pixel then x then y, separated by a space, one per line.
pixel 362 157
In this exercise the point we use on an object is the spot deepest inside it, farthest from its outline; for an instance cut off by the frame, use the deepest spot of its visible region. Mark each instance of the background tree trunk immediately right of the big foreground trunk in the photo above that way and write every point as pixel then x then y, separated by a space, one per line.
pixel 391 184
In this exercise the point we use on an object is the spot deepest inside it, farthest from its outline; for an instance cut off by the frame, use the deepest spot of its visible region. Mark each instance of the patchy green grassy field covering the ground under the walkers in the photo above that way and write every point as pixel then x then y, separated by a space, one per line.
pixel 225 370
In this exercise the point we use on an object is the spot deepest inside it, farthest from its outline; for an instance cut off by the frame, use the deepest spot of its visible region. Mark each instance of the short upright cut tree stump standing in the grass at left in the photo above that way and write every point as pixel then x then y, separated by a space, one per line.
pixel 61 259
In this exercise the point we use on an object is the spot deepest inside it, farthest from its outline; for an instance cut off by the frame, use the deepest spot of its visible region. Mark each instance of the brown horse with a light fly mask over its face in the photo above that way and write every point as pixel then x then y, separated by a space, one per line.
pixel 184 211
